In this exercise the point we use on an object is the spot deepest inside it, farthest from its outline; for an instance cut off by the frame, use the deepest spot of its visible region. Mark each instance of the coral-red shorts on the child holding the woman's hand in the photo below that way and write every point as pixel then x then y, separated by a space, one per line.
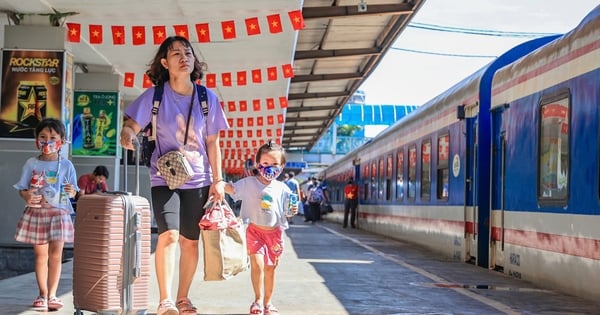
pixel 268 243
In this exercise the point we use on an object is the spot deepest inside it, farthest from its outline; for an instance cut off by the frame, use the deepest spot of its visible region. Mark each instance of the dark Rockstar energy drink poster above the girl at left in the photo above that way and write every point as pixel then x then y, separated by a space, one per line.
pixel 32 89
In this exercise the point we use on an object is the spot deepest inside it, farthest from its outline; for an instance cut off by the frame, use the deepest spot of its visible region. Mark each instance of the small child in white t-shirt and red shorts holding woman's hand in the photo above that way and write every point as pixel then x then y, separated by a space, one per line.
pixel 265 202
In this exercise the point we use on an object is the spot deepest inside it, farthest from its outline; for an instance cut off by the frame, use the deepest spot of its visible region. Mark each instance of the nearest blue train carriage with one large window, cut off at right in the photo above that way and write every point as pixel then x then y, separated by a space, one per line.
pixel 545 203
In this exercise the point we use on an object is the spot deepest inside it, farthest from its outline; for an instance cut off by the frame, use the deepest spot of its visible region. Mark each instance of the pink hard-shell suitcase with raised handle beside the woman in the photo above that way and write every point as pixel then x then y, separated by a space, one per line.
pixel 111 253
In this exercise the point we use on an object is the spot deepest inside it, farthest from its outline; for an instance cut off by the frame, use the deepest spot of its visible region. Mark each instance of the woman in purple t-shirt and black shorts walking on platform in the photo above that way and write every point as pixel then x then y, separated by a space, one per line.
pixel 178 211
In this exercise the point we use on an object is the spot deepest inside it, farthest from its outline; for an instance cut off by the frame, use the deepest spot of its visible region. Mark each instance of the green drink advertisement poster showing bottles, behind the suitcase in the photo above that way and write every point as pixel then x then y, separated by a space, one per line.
pixel 95 123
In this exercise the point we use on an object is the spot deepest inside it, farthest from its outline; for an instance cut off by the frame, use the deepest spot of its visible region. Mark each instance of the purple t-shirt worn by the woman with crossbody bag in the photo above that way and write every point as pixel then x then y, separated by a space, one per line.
pixel 170 130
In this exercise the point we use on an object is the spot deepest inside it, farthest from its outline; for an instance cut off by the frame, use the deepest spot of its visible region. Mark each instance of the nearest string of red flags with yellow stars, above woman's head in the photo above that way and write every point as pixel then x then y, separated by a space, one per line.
pixel 204 31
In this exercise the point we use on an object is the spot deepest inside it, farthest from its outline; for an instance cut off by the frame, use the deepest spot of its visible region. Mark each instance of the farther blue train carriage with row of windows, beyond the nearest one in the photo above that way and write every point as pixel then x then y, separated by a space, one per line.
pixel 426 178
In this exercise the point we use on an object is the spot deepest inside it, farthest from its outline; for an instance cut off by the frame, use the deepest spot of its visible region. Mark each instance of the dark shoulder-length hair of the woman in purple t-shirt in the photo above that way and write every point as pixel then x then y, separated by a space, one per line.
pixel 159 75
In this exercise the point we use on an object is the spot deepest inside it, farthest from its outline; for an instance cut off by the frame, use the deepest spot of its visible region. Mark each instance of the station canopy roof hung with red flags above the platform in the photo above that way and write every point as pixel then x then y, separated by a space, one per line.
pixel 283 69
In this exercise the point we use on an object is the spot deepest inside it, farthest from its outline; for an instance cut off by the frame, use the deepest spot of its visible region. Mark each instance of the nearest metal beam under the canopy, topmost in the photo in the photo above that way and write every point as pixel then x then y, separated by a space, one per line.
pixel 339 11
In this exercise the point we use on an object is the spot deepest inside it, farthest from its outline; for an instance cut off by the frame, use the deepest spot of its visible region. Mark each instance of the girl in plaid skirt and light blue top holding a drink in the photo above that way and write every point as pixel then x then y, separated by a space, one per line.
pixel 46 184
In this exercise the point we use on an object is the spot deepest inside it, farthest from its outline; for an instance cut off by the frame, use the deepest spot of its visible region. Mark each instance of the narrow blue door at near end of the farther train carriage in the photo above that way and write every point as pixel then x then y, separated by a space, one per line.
pixel 470 204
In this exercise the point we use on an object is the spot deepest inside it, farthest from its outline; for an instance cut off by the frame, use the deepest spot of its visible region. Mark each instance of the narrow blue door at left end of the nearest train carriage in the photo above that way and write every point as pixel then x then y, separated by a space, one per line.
pixel 497 191
